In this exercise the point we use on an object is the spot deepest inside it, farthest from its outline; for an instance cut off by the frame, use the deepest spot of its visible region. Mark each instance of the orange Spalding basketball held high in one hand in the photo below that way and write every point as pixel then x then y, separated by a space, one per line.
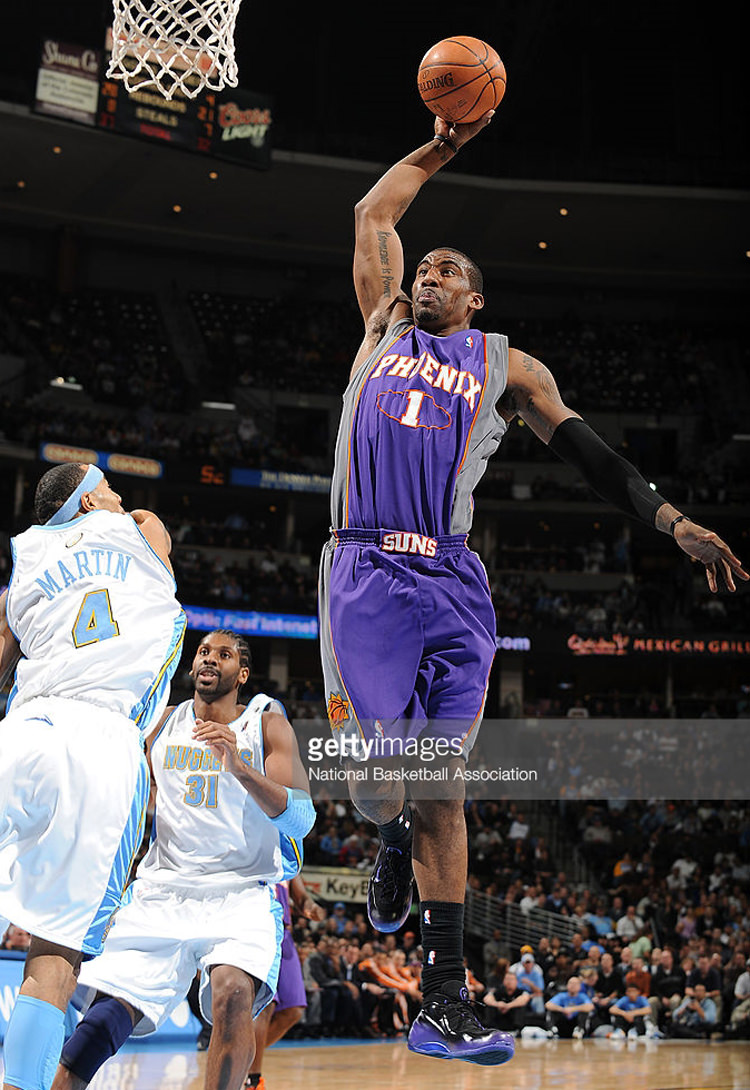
pixel 462 79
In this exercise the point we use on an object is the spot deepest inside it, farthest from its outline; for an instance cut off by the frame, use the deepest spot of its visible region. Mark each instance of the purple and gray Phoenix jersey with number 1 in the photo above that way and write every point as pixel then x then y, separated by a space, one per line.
pixel 418 427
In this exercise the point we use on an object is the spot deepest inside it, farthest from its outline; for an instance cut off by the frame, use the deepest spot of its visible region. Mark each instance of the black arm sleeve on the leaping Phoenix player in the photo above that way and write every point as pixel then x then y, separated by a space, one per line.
pixel 612 477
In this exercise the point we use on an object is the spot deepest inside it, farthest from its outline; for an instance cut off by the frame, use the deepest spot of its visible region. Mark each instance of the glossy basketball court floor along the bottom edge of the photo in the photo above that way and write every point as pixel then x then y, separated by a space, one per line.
pixel 553 1065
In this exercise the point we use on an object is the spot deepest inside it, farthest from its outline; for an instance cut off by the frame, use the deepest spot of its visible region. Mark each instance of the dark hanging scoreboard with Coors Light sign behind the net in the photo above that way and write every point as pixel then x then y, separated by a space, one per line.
pixel 233 125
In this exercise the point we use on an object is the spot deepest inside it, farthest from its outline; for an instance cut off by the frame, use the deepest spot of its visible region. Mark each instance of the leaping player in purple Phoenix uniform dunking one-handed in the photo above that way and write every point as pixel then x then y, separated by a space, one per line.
pixel 407 622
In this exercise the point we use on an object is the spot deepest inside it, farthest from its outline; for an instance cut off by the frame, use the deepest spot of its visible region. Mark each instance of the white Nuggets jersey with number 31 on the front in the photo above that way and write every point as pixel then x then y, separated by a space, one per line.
pixel 209 832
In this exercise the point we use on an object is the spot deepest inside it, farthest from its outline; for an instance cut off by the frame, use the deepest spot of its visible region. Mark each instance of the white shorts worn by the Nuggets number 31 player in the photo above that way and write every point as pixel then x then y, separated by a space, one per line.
pixel 163 937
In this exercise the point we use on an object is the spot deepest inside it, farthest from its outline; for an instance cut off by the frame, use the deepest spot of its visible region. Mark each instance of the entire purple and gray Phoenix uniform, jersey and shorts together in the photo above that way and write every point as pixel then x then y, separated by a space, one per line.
pixel 407 622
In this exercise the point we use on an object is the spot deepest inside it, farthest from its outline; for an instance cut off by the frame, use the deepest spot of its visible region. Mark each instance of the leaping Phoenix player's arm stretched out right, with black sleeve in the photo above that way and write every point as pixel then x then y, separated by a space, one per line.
pixel 533 395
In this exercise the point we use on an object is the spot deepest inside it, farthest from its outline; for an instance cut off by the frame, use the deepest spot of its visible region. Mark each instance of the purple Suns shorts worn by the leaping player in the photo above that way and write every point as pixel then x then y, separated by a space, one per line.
pixel 407 635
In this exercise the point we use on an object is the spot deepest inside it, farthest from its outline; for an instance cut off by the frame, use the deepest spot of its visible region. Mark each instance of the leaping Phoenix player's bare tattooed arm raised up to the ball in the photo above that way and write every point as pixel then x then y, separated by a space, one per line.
pixel 379 253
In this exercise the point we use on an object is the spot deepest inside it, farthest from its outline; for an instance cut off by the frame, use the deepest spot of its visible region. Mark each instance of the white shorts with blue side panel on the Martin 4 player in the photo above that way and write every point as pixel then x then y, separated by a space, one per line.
pixel 74 794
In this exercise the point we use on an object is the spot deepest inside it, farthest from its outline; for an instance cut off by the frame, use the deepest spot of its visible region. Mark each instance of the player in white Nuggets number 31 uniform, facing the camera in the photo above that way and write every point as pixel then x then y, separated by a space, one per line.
pixel 232 812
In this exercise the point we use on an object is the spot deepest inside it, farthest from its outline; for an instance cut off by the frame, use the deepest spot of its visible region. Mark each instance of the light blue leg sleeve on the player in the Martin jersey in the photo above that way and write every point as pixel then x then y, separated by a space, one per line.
pixel 33 1043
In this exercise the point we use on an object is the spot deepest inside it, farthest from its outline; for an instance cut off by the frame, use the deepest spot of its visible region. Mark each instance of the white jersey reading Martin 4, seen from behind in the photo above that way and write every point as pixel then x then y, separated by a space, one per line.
pixel 93 609
